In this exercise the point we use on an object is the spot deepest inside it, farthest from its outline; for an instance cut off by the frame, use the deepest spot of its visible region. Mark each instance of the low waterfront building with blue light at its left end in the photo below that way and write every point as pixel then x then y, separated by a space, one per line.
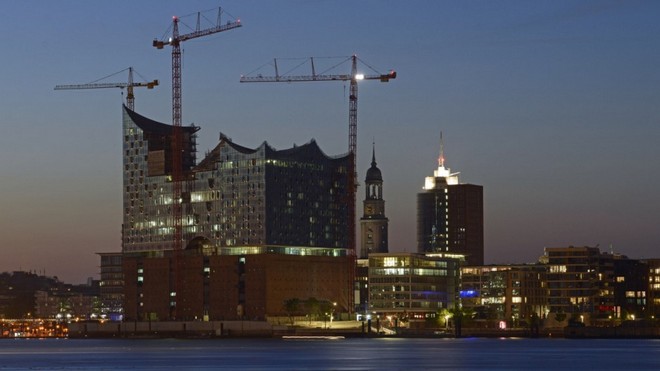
pixel 511 293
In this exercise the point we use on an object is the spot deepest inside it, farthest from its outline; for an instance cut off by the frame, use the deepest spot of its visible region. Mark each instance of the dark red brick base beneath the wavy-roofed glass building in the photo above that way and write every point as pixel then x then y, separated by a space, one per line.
pixel 231 287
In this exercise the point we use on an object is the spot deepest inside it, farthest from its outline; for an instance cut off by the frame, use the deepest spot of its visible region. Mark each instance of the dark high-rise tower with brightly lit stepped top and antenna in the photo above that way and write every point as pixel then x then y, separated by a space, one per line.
pixel 450 215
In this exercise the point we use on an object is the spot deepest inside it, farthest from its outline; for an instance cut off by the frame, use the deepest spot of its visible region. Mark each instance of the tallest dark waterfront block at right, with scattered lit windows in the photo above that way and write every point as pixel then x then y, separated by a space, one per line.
pixel 581 283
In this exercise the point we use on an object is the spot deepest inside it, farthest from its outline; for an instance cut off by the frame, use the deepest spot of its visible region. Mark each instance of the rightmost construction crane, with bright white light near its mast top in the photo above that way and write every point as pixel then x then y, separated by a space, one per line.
pixel 353 77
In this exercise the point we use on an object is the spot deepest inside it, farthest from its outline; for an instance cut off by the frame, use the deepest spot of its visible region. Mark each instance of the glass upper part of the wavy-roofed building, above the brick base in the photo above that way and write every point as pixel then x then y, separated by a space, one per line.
pixel 237 200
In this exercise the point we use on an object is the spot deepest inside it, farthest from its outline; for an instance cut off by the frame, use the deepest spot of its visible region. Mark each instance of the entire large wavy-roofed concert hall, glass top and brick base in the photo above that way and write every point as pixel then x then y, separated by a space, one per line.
pixel 259 226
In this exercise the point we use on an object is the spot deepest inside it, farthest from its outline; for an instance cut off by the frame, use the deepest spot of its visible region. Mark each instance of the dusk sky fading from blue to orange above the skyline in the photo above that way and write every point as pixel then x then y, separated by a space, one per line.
pixel 552 106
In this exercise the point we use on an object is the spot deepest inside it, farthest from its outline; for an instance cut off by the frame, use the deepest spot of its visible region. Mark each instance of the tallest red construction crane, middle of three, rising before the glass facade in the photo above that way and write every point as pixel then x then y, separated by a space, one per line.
pixel 177 135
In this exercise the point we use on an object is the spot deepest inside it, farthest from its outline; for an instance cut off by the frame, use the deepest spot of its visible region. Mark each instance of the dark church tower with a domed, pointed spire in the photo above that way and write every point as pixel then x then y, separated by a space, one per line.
pixel 373 224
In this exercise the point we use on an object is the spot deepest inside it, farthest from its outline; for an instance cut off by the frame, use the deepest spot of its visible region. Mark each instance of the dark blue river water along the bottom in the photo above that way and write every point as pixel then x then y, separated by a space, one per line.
pixel 346 354
